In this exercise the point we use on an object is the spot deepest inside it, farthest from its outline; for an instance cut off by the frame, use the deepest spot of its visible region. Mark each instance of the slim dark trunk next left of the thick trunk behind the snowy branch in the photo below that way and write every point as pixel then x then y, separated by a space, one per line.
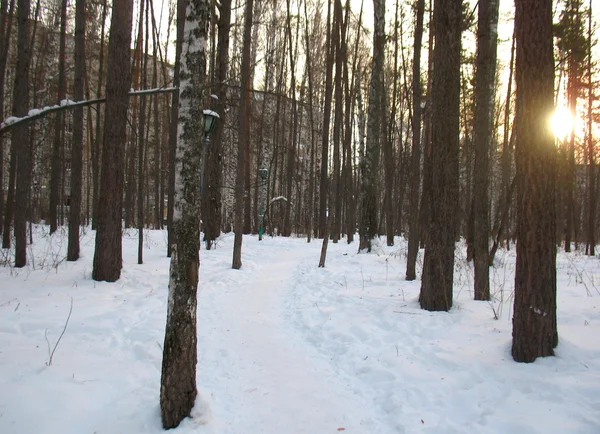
pixel 77 143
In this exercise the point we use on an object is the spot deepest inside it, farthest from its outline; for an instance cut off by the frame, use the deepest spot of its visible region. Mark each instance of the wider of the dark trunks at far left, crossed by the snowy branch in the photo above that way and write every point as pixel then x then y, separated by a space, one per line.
pixel 20 135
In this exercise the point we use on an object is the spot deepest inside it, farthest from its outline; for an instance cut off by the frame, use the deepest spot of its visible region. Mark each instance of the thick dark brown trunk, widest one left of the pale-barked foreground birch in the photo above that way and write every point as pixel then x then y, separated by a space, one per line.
pixel 108 253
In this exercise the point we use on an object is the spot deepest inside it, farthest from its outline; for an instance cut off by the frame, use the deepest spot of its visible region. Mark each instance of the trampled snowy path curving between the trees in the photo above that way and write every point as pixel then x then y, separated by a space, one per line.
pixel 270 381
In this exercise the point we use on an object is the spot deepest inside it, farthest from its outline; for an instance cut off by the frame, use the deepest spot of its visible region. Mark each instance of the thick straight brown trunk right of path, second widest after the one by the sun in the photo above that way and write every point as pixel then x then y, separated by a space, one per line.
pixel 438 265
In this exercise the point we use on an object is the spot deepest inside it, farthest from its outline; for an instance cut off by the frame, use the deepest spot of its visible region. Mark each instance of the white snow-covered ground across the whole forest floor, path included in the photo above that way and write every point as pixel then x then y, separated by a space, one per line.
pixel 286 347
